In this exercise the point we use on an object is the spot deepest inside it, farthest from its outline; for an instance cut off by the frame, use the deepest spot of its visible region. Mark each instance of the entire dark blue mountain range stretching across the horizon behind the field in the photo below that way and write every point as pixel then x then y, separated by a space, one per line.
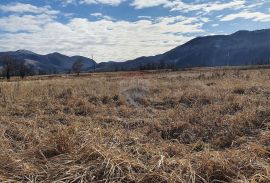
pixel 240 48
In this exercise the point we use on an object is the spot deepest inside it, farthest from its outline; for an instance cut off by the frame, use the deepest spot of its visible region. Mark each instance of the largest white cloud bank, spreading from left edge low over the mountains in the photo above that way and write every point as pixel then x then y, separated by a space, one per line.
pixel 106 39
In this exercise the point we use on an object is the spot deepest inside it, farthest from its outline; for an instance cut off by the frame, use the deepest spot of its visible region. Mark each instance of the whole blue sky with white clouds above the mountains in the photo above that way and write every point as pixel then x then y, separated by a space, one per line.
pixel 120 30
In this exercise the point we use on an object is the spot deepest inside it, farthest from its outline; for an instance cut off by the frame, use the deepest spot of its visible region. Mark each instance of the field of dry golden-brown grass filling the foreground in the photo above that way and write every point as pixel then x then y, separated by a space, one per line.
pixel 194 126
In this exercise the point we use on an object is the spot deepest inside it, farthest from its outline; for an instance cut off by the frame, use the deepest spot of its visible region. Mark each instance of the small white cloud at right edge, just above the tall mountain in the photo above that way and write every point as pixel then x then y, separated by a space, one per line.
pixel 255 16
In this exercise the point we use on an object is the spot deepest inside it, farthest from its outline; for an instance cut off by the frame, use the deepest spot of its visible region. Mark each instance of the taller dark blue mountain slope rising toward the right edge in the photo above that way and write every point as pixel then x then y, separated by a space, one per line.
pixel 240 48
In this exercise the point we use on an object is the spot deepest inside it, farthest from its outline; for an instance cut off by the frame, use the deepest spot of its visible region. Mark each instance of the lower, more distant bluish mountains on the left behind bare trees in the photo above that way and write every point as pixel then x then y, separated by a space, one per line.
pixel 50 63
